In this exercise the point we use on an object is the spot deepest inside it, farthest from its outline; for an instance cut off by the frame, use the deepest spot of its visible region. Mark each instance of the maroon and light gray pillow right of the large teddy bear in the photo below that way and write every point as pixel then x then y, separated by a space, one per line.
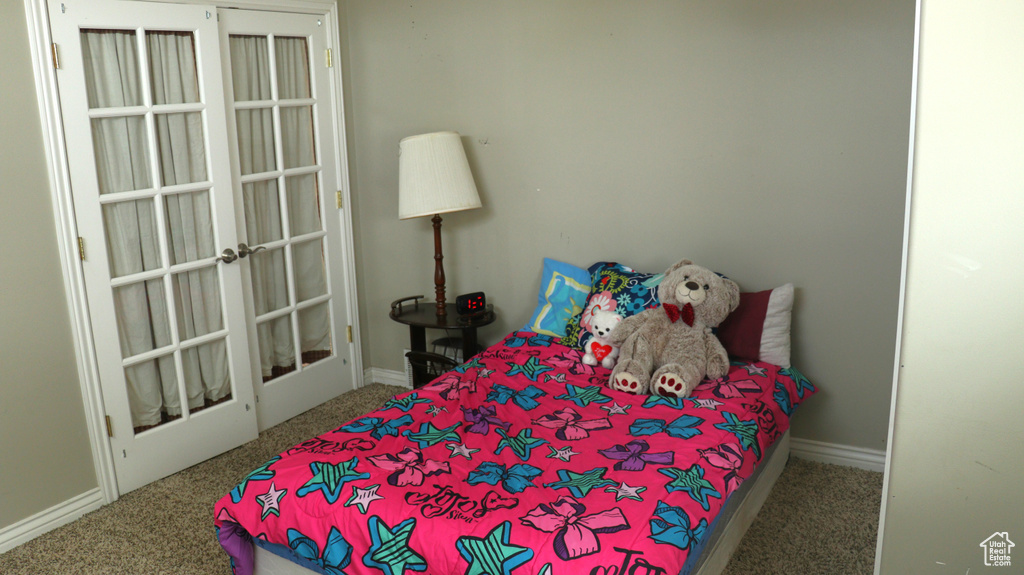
pixel 759 329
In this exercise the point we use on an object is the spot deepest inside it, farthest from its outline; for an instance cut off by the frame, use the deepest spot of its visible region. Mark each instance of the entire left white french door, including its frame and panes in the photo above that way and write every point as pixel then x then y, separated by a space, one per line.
pixel 147 138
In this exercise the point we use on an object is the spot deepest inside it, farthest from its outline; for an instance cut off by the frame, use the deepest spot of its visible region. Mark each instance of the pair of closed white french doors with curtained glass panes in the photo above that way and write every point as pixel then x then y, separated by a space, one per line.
pixel 209 320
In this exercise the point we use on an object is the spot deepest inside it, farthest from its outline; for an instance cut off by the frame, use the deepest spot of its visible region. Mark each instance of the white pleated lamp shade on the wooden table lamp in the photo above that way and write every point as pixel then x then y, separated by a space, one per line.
pixel 435 176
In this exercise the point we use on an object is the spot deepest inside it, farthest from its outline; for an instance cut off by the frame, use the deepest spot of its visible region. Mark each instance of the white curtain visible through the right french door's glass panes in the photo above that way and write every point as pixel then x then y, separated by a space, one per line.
pixel 252 82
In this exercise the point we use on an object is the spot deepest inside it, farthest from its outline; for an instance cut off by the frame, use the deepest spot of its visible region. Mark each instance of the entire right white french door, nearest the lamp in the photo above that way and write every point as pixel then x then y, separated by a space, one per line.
pixel 283 154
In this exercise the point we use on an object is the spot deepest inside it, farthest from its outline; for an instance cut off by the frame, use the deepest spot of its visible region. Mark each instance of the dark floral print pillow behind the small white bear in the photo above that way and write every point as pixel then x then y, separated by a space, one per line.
pixel 613 288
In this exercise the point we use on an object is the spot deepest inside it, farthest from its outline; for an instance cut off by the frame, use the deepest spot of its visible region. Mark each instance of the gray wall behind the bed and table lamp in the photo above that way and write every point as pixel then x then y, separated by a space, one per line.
pixel 766 141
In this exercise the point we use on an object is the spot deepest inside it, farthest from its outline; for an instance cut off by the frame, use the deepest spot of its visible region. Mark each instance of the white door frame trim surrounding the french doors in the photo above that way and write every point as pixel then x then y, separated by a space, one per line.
pixel 64 213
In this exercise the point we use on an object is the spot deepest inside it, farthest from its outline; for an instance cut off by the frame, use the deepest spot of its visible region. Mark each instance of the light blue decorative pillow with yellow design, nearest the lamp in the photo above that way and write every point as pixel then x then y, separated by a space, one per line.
pixel 564 292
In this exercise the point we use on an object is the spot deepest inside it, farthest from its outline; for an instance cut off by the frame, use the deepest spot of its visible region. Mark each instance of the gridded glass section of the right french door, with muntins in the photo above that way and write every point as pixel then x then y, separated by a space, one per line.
pixel 282 201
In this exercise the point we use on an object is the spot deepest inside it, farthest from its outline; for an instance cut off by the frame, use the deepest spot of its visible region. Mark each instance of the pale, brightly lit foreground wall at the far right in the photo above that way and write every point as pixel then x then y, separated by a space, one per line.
pixel 957 460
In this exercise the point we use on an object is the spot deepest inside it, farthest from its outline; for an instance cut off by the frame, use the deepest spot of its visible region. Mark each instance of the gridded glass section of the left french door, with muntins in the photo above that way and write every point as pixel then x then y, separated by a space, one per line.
pixel 158 222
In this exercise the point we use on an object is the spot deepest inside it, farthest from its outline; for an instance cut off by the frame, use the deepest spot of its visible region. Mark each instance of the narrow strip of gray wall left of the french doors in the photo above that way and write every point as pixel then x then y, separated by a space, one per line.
pixel 45 452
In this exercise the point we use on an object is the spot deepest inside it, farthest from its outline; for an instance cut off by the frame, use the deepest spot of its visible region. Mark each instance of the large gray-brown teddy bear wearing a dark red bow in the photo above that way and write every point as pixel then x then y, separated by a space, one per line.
pixel 668 350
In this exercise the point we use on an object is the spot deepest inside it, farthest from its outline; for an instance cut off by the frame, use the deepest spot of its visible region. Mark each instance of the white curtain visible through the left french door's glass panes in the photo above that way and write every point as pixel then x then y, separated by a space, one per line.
pixel 123 164
